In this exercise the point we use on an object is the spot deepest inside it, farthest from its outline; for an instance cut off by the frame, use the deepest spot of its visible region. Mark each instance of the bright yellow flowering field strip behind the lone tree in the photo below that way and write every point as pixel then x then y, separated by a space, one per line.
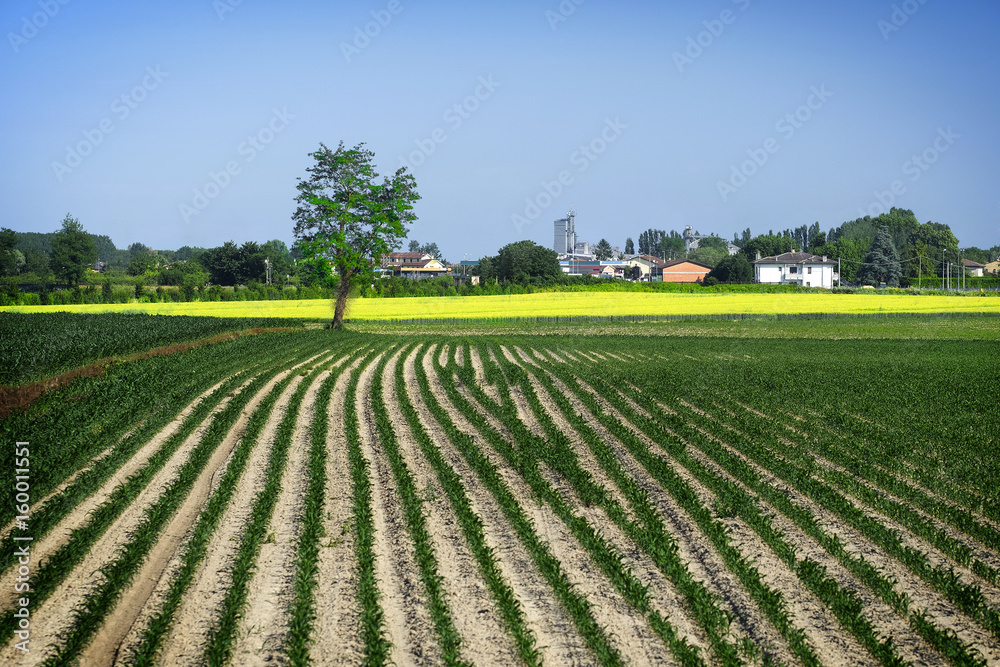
pixel 562 304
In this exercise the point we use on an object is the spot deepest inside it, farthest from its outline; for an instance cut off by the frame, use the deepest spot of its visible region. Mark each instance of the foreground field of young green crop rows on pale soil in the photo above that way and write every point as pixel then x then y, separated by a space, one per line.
pixel 312 497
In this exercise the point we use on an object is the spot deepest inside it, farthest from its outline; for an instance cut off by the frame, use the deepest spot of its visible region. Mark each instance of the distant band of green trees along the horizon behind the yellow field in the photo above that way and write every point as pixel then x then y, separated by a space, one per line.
pixel 67 255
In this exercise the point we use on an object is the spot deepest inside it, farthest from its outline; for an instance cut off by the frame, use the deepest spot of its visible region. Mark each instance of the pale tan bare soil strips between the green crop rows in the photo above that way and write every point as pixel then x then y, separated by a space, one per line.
pixel 475 613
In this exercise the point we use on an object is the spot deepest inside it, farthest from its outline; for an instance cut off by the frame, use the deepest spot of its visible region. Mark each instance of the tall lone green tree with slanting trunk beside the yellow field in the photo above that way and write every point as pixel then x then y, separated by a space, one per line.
pixel 346 221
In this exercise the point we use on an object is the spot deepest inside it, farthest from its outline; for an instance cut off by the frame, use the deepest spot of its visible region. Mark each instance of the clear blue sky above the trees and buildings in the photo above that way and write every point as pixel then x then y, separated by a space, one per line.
pixel 189 122
